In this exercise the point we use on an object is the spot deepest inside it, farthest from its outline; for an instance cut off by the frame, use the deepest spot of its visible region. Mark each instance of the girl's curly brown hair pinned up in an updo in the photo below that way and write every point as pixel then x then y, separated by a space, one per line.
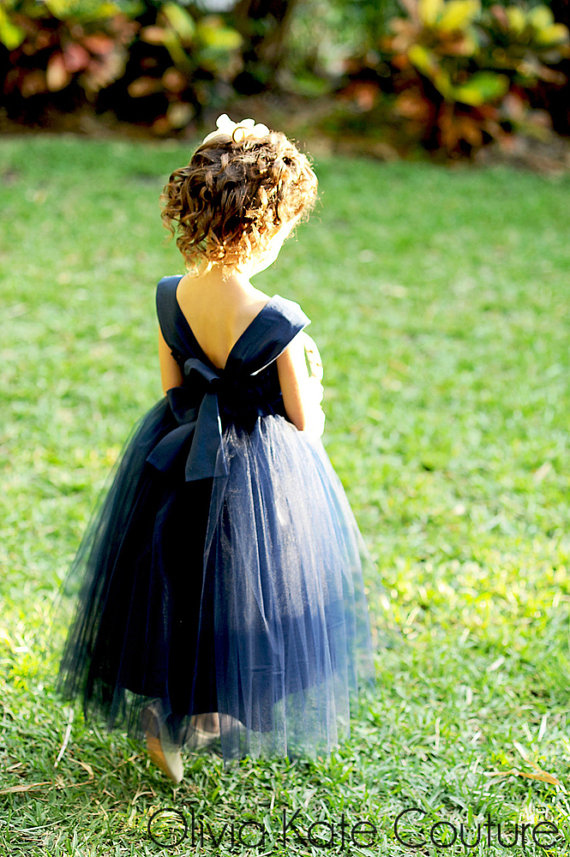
pixel 229 201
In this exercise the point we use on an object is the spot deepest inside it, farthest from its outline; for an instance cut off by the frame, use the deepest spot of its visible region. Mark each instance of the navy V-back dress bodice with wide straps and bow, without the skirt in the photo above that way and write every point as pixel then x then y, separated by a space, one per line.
pixel 210 398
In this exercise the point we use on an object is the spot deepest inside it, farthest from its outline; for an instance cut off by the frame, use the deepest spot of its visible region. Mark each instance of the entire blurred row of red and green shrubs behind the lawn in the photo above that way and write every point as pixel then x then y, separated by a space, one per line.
pixel 448 74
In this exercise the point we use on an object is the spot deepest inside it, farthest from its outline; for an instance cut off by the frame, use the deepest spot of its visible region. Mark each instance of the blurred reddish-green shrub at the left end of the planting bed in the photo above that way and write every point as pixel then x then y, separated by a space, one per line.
pixel 152 62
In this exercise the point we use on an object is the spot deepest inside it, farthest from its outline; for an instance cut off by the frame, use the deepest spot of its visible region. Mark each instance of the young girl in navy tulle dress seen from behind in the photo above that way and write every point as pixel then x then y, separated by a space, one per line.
pixel 221 597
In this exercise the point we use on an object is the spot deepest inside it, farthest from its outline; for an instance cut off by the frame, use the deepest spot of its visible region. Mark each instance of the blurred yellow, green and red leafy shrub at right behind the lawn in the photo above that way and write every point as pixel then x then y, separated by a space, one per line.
pixel 461 75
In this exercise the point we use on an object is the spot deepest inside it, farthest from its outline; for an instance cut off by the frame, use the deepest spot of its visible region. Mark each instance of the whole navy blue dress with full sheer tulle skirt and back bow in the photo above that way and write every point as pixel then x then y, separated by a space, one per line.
pixel 222 569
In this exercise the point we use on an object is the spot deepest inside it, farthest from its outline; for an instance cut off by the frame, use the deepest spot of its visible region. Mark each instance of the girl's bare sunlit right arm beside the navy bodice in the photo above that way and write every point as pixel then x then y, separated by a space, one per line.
pixel 302 393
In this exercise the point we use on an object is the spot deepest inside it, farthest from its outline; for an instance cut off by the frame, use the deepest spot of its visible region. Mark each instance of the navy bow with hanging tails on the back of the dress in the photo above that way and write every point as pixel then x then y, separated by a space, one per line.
pixel 201 420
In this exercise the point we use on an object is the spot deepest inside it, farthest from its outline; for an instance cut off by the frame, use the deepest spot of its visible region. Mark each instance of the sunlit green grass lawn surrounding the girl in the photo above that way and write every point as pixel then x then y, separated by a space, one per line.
pixel 439 302
